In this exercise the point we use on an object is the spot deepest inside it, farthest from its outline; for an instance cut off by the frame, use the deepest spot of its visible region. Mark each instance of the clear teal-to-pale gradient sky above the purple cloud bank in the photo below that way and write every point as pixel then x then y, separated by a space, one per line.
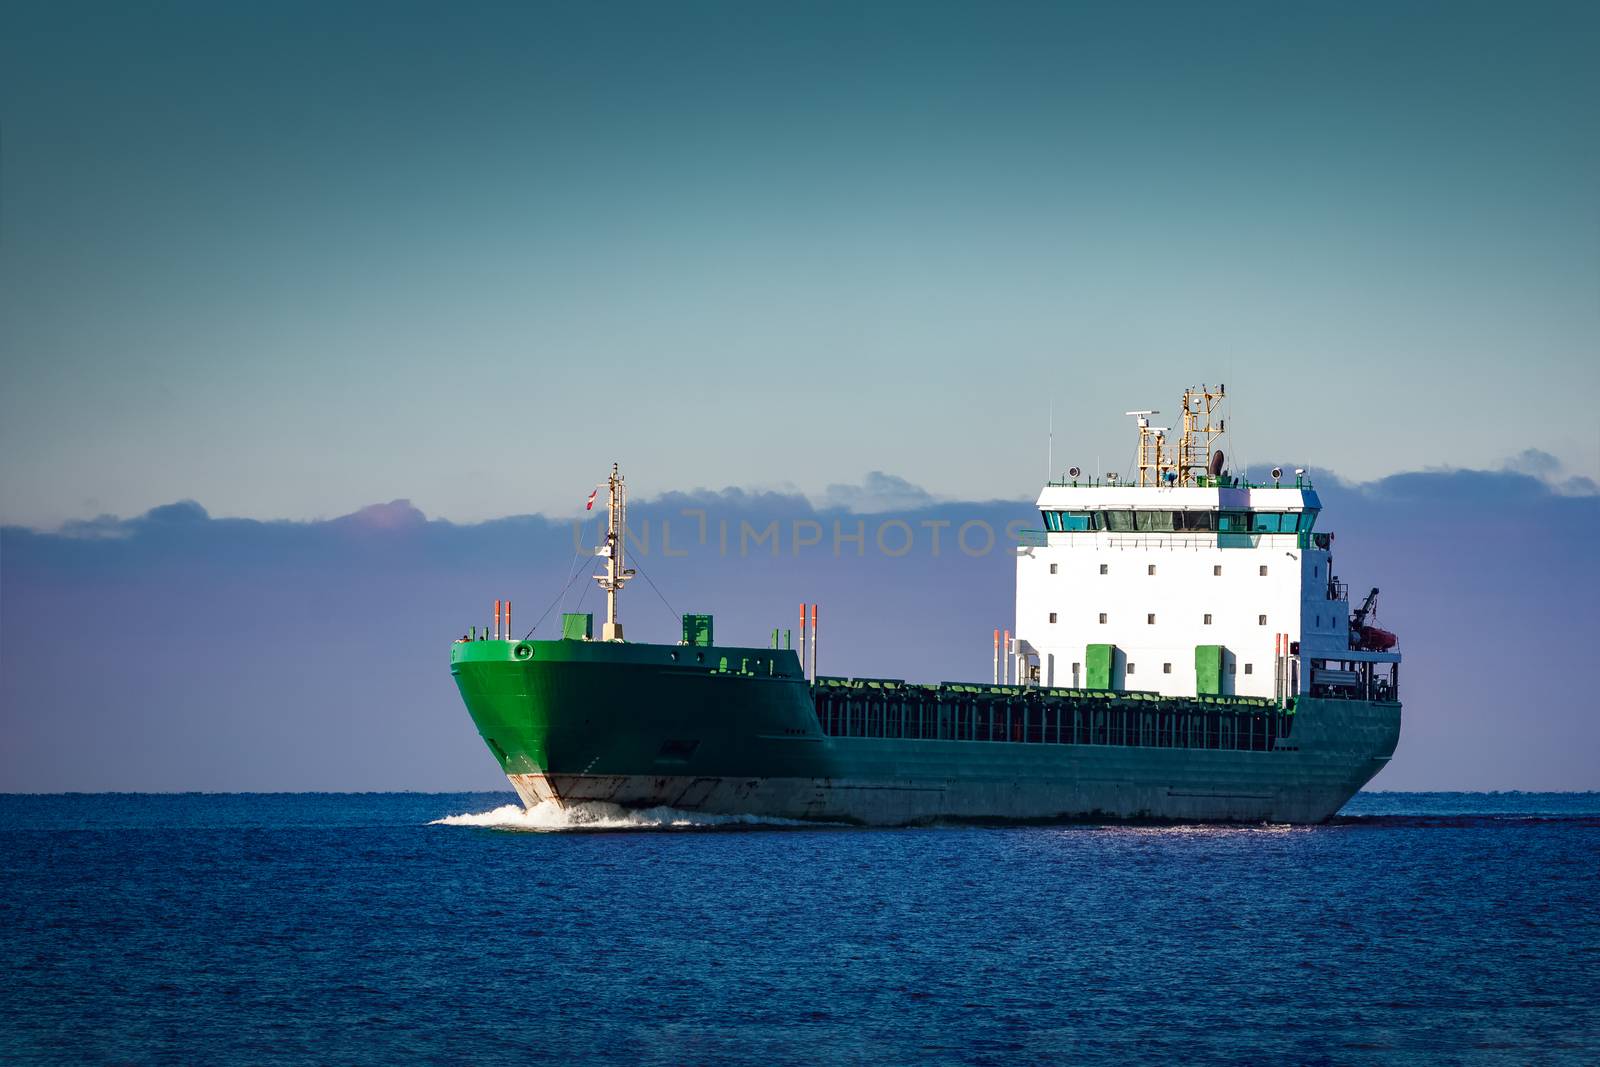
pixel 295 258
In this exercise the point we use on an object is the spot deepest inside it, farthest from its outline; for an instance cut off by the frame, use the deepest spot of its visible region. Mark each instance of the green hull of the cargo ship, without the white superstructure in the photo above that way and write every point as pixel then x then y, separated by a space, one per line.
pixel 738 732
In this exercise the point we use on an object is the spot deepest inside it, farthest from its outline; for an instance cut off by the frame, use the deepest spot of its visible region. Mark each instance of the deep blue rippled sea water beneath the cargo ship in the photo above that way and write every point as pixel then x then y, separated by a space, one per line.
pixel 1452 929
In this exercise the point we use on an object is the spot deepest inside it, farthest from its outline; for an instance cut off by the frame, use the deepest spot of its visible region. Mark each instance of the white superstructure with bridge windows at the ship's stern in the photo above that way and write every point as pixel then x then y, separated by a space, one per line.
pixel 1178 569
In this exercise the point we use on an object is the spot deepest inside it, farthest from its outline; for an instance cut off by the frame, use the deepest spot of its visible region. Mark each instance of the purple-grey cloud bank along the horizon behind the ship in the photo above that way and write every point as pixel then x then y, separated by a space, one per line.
pixel 180 650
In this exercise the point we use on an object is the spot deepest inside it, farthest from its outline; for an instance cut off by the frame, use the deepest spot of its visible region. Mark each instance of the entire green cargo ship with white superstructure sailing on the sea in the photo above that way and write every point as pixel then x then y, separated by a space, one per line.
pixel 743 730
